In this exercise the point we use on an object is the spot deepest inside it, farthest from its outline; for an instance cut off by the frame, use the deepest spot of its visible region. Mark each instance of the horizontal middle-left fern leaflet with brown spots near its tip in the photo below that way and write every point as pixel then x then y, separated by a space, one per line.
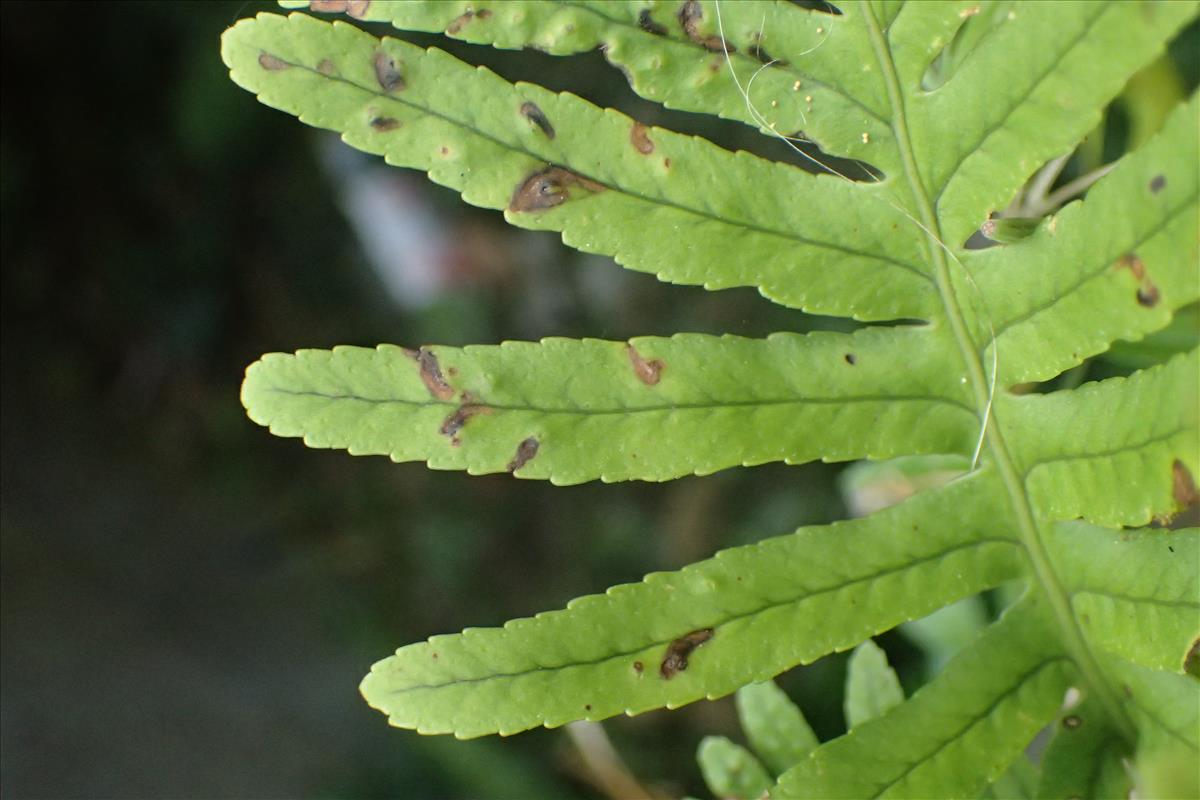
pixel 651 410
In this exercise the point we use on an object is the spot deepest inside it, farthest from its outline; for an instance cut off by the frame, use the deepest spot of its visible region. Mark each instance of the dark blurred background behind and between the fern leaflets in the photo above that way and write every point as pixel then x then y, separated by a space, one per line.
pixel 189 604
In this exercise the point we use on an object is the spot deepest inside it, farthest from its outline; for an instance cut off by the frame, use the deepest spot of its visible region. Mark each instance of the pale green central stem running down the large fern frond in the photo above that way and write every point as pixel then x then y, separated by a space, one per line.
pixel 1043 573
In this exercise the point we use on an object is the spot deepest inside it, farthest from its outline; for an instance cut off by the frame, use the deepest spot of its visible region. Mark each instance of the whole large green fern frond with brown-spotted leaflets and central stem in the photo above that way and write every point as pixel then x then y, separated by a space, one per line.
pixel 953 106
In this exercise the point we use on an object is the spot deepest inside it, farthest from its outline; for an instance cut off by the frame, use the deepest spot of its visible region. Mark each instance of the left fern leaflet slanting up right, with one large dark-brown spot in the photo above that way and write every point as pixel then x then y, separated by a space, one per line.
pixel 739 618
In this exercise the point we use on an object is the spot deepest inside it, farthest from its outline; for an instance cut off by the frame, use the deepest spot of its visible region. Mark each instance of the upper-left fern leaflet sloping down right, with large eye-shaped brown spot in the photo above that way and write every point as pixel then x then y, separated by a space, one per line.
pixel 593 179
